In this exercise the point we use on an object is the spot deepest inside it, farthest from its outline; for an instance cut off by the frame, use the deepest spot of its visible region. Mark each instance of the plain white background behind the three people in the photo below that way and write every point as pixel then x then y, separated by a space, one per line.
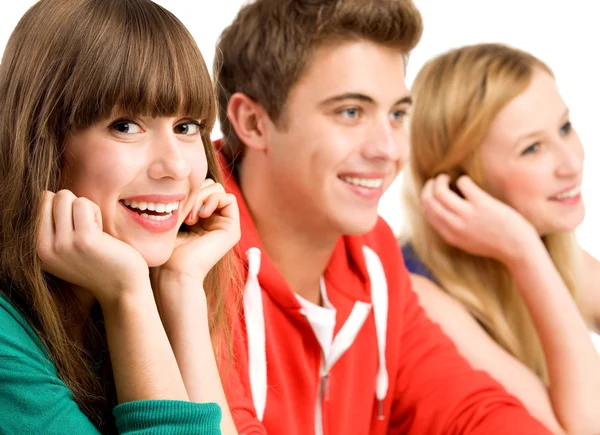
pixel 563 34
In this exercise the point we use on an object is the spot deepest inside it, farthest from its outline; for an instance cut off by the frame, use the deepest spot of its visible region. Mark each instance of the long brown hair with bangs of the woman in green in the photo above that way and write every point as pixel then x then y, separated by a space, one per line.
pixel 67 64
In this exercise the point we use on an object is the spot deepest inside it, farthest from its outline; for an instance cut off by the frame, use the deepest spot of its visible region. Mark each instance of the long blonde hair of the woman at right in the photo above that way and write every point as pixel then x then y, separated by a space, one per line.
pixel 457 97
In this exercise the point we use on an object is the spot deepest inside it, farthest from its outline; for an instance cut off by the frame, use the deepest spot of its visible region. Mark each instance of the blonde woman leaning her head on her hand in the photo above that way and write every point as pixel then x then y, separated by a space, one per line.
pixel 493 197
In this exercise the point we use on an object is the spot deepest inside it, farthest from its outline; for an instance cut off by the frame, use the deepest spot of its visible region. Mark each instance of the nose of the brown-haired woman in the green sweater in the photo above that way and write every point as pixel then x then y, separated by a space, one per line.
pixel 168 158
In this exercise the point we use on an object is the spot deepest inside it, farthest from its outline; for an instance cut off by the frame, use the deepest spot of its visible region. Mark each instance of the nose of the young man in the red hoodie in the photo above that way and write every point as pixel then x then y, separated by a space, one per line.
pixel 387 142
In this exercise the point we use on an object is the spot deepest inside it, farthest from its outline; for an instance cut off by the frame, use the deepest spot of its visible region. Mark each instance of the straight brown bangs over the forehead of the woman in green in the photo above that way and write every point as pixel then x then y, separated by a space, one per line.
pixel 141 60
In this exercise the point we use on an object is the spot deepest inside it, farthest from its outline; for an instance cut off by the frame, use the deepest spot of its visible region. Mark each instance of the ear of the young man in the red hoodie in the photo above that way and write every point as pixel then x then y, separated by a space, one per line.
pixel 248 119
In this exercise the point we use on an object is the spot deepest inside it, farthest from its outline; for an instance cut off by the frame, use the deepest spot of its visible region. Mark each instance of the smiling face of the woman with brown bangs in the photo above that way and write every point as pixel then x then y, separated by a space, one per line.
pixel 143 173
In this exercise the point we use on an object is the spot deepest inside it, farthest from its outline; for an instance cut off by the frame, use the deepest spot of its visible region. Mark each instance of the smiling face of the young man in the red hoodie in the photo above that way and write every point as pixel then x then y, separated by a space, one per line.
pixel 341 139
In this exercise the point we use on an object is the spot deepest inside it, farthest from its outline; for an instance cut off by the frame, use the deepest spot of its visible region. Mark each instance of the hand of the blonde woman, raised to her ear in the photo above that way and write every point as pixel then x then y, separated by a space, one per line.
pixel 478 223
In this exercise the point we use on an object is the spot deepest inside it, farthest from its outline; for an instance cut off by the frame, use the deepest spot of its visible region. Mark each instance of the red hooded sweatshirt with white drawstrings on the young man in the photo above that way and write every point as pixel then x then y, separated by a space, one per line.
pixel 369 362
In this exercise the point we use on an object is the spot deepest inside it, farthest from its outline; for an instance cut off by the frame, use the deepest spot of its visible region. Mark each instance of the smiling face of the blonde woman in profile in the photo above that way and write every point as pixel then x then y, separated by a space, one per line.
pixel 533 158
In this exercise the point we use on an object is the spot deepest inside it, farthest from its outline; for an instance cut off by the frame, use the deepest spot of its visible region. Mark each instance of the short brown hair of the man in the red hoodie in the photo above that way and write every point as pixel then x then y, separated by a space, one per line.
pixel 265 50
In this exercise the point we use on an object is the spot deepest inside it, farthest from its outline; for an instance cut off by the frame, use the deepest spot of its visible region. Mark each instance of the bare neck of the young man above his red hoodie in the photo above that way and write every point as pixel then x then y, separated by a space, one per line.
pixel 299 250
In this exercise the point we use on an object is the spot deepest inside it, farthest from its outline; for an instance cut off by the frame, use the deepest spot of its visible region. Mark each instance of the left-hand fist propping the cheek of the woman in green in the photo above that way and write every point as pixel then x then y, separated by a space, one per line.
pixel 73 247
